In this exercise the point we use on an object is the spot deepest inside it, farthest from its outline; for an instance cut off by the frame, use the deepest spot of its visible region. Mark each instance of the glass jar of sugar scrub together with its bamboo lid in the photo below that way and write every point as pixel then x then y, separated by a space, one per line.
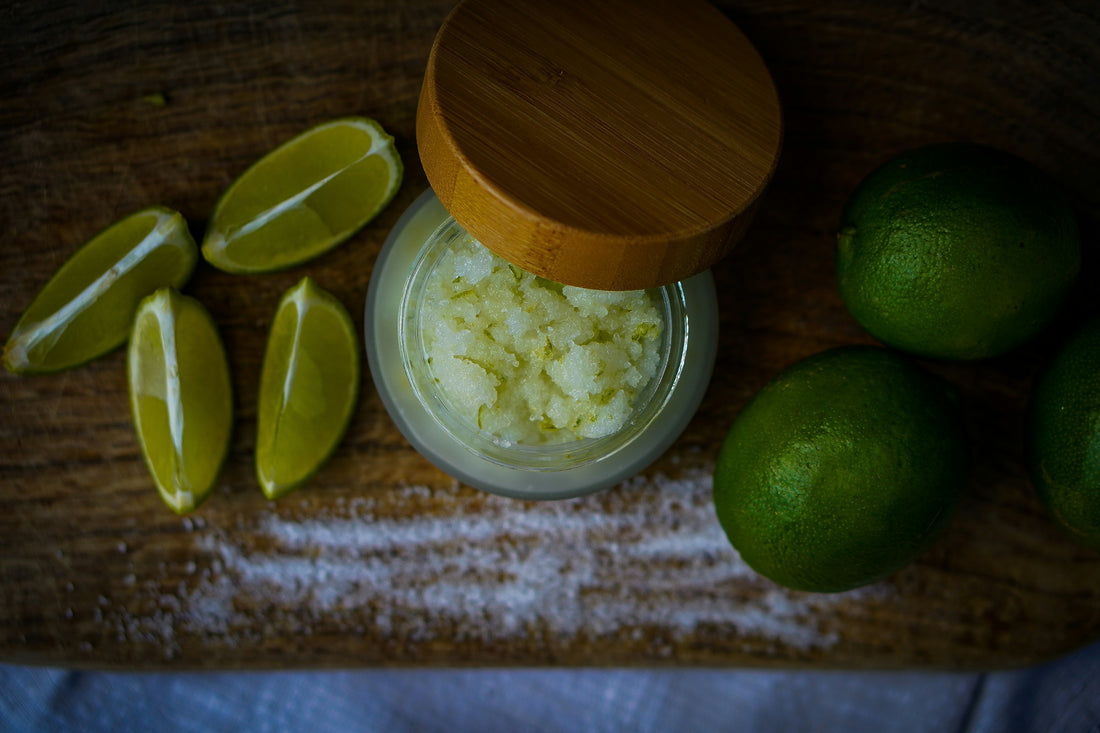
pixel 543 323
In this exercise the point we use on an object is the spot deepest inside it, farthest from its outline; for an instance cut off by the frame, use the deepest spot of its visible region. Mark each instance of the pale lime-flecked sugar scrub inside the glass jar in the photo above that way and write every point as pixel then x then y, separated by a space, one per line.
pixel 532 362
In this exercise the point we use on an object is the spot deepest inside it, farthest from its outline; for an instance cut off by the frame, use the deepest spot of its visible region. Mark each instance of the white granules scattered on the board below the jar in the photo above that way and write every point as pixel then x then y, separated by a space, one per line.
pixel 648 554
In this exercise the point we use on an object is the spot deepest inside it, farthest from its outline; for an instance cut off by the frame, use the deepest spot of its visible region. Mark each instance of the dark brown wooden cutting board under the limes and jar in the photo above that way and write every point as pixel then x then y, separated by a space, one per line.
pixel 386 561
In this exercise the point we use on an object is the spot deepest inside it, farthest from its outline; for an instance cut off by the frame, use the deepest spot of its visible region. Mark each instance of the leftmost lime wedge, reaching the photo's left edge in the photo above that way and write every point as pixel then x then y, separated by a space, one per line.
pixel 87 308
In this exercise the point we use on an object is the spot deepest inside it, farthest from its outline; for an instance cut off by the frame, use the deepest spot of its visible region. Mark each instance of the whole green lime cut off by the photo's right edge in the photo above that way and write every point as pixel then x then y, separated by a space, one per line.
pixel 1064 436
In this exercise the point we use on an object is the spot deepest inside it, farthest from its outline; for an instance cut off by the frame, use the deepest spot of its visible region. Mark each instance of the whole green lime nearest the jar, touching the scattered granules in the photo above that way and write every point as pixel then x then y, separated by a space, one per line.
pixel 842 469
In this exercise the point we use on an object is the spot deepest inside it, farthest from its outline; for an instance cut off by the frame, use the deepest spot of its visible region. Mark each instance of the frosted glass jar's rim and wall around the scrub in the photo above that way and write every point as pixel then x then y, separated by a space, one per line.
pixel 546 471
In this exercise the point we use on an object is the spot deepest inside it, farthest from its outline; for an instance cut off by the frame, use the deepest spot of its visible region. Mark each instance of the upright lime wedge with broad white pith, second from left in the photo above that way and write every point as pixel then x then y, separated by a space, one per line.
pixel 181 397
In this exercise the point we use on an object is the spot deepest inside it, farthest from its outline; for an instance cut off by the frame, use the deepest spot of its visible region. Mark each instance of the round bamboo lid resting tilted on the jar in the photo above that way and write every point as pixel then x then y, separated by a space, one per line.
pixel 603 144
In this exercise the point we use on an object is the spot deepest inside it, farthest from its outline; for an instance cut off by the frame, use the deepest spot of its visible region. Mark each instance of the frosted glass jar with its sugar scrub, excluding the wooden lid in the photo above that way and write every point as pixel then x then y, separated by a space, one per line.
pixel 524 387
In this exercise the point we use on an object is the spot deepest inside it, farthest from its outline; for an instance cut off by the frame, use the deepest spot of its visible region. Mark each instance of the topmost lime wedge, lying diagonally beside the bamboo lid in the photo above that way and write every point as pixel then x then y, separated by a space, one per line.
pixel 305 198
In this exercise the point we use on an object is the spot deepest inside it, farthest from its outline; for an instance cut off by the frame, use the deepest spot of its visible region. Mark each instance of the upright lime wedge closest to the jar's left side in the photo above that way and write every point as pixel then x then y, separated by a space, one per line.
pixel 309 388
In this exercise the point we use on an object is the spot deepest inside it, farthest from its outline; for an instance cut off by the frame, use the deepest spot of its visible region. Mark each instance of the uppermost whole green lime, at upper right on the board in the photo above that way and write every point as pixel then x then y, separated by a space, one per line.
pixel 956 251
